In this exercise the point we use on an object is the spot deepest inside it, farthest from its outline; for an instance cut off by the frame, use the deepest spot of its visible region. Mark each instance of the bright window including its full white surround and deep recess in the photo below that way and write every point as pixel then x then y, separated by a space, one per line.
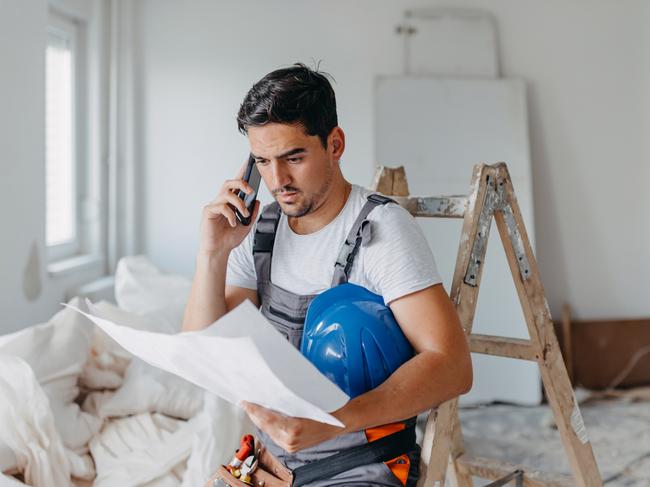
pixel 77 86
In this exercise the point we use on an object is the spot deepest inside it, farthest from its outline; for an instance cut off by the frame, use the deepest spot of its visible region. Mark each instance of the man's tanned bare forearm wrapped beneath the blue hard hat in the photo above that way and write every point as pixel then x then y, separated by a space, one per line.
pixel 427 380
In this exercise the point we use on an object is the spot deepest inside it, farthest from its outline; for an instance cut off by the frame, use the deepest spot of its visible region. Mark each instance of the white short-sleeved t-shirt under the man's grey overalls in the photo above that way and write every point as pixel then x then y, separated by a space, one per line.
pixel 396 262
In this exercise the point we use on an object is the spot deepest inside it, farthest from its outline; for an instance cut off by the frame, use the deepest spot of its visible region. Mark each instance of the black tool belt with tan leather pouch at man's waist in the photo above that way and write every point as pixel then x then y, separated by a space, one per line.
pixel 271 472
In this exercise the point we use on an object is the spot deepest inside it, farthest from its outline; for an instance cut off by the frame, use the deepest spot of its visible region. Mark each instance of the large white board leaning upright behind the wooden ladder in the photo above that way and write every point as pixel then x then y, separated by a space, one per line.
pixel 438 129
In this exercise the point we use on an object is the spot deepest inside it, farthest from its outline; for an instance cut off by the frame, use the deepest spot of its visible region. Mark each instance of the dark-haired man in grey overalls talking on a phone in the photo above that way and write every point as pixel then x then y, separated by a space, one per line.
pixel 290 119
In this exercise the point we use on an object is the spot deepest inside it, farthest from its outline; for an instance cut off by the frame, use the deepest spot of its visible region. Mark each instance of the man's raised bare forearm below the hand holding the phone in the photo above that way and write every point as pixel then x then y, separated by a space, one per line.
pixel 207 301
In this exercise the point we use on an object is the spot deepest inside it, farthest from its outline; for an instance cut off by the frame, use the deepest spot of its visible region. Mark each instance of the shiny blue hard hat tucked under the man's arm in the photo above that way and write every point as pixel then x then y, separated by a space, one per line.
pixel 352 337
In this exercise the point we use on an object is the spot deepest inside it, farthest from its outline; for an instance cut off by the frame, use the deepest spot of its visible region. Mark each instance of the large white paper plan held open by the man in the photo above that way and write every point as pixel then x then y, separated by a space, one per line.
pixel 240 357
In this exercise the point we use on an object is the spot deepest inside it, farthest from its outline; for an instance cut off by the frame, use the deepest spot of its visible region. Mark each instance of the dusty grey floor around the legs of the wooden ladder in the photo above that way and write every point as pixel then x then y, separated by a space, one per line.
pixel 619 430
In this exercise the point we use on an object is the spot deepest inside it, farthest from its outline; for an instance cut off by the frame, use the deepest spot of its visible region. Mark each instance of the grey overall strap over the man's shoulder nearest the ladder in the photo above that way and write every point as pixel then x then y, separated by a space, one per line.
pixel 360 233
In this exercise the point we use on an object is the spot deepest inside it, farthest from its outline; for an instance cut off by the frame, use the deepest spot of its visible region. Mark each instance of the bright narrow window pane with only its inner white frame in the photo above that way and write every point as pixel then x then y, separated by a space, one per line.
pixel 71 217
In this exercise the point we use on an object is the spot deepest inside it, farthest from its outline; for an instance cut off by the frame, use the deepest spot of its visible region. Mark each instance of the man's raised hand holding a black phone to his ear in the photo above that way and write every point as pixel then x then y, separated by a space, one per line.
pixel 226 219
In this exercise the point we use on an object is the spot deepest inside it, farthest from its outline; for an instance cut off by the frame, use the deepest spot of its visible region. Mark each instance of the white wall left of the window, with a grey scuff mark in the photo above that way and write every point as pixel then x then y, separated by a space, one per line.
pixel 27 293
